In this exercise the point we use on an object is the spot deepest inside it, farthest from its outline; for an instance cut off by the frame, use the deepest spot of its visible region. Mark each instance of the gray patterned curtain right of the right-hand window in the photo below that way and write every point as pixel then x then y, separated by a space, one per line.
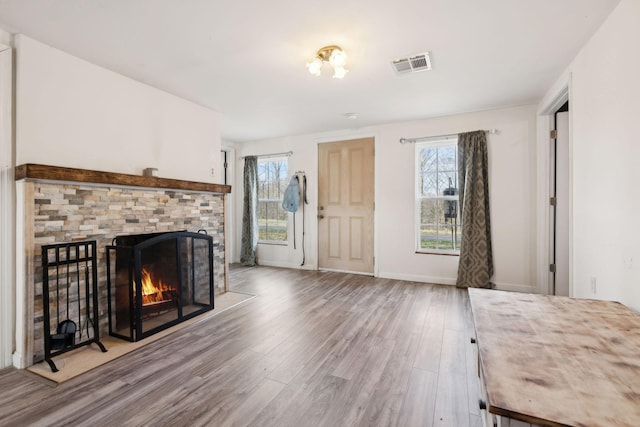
pixel 475 268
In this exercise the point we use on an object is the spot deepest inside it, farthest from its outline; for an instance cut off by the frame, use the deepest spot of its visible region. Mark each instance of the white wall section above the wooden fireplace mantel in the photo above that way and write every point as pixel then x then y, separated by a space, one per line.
pixel 73 113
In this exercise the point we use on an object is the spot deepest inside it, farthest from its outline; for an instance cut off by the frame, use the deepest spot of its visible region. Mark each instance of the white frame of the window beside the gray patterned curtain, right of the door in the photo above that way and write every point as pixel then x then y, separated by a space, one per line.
pixel 450 140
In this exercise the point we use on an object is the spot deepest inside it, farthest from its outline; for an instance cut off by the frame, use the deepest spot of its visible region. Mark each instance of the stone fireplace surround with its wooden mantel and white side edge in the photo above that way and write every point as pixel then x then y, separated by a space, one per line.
pixel 59 205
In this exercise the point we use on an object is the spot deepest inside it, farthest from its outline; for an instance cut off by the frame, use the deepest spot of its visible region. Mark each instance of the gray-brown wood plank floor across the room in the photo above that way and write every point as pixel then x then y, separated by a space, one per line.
pixel 313 349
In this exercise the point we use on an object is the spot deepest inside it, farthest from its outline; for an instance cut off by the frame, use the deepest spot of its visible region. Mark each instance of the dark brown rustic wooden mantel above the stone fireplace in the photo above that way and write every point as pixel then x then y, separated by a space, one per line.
pixel 56 173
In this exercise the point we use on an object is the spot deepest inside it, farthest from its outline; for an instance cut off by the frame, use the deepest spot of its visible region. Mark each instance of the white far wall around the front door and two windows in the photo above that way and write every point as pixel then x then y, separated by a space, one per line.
pixel 512 187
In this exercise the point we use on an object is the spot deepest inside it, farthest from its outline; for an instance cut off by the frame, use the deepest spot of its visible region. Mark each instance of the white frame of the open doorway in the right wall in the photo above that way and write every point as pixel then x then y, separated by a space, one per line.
pixel 546 122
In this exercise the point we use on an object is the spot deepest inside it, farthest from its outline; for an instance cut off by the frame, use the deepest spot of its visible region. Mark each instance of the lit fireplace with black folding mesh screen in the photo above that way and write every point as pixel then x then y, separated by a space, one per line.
pixel 157 280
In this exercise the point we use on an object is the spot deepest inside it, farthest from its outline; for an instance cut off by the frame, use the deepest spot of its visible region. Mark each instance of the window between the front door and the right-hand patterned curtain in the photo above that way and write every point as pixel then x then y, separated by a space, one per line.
pixel 438 224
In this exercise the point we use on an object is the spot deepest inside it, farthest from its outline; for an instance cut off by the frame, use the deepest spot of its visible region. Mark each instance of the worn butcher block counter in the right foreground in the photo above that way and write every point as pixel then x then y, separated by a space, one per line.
pixel 556 361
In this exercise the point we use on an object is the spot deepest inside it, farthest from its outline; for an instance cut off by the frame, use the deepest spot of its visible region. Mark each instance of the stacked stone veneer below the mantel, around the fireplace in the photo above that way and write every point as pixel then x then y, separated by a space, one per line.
pixel 69 213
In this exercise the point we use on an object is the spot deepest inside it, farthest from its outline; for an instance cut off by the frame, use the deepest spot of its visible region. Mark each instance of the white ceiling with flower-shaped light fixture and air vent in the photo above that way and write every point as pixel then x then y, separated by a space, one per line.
pixel 246 58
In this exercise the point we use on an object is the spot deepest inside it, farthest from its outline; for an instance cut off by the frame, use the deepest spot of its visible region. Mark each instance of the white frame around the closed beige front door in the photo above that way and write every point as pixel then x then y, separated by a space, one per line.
pixel 376 168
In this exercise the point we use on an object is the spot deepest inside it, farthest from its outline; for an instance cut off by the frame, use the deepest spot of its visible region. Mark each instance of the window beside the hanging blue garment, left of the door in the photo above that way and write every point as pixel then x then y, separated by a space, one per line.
pixel 272 181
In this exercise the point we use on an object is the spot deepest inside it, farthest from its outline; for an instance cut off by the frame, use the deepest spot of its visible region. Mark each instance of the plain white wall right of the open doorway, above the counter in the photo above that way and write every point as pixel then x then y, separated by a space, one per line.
pixel 604 111
